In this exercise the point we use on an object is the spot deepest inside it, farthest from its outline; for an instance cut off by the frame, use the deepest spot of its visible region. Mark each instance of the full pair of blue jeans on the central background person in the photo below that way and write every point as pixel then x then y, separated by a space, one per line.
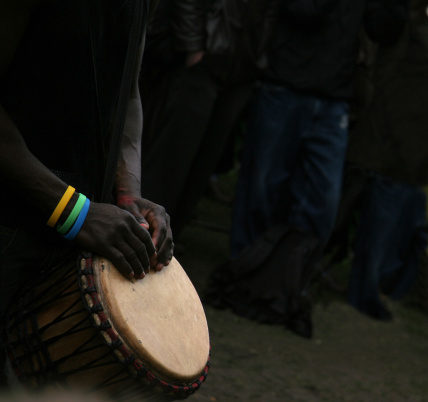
pixel 292 165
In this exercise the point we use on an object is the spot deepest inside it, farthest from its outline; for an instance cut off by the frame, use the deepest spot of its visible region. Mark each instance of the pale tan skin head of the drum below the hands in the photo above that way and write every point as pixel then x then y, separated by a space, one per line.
pixel 160 318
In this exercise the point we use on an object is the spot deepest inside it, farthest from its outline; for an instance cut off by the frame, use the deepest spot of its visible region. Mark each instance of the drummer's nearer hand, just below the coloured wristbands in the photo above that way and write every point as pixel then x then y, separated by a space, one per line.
pixel 115 234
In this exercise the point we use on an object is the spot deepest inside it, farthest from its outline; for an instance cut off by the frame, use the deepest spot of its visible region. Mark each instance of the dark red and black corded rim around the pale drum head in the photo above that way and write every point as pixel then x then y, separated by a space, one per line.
pixel 102 325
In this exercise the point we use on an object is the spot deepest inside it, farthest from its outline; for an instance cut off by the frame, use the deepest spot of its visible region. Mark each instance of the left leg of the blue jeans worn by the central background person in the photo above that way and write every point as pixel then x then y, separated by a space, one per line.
pixel 269 152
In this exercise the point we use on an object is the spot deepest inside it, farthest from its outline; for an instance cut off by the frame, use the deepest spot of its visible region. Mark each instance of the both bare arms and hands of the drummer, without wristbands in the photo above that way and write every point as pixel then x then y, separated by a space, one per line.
pixel 109 230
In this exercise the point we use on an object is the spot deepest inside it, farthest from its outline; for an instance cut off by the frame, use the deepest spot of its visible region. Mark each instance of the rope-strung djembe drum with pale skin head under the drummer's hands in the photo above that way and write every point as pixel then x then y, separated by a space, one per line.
pixel 103 333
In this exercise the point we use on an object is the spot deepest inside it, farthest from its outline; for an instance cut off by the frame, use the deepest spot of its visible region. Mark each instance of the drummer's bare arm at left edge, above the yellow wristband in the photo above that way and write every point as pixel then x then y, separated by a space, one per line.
pixel 21 173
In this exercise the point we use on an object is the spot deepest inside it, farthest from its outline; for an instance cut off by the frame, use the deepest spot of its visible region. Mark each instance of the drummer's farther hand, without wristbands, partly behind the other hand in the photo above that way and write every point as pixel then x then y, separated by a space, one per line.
pixel 154 218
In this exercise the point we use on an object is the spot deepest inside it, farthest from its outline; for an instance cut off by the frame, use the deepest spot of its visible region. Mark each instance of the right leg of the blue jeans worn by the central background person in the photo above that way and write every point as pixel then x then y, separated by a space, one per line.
pixel 317 180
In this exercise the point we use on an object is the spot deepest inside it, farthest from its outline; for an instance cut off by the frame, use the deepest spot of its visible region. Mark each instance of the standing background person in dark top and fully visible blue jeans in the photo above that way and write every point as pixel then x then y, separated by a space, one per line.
pixel 294 152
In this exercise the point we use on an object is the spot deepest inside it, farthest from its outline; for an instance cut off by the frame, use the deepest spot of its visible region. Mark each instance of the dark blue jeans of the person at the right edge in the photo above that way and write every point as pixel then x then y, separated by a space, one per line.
pixel 390 240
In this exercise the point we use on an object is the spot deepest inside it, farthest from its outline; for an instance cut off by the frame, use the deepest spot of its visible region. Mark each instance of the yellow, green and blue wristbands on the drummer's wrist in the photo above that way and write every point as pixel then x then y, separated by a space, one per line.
pixel 71 227
